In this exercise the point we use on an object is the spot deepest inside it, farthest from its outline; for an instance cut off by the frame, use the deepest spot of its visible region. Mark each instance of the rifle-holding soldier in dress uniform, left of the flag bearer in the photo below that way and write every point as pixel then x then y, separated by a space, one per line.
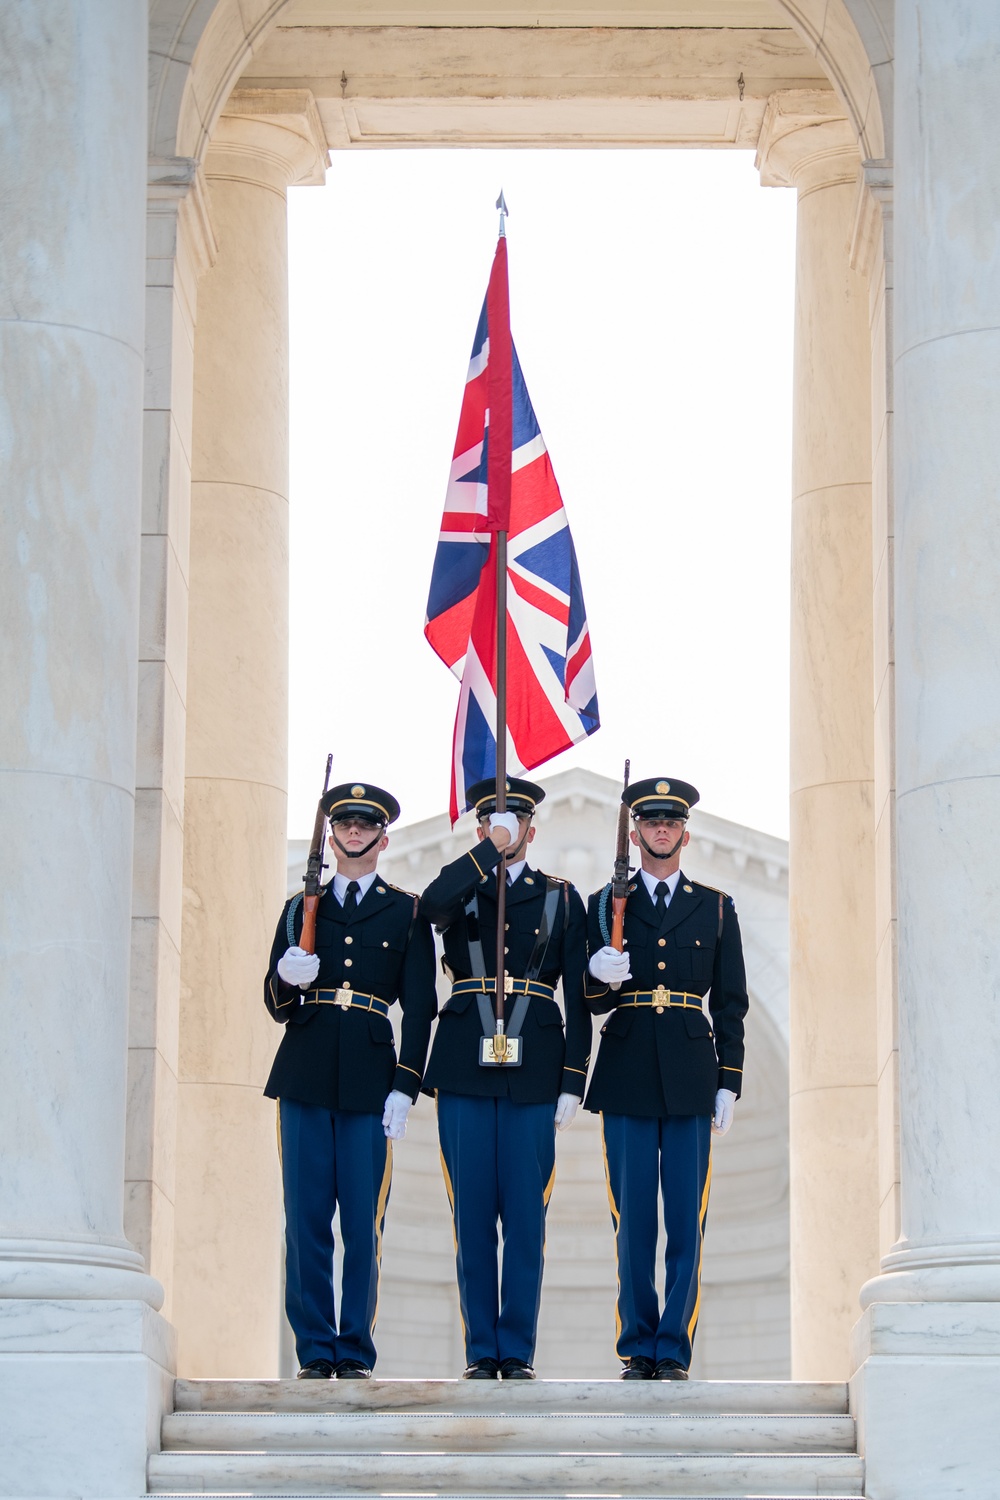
pixel 343 1093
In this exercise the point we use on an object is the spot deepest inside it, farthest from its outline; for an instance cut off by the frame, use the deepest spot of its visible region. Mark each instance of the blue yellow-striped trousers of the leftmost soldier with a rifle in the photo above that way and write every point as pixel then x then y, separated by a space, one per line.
pixel 334 1159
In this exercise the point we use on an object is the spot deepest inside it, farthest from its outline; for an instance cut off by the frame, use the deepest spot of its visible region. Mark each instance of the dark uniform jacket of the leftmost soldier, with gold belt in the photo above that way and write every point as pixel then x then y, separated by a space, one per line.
pixel 347 1060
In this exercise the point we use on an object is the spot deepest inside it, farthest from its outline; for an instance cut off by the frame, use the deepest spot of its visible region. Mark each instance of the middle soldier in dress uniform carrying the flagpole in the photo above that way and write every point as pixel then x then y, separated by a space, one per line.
pixel 497 1124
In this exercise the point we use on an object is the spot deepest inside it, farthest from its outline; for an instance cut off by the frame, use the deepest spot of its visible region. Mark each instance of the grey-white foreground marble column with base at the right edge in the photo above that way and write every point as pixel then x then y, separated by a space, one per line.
pixel 929 1345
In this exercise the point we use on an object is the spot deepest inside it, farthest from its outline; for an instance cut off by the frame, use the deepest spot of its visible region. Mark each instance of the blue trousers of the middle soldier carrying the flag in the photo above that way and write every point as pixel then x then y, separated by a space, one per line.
pixel 500 1163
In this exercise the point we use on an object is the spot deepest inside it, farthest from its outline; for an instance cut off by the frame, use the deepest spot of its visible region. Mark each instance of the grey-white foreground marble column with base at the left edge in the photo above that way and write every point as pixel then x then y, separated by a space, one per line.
pixel 86 1360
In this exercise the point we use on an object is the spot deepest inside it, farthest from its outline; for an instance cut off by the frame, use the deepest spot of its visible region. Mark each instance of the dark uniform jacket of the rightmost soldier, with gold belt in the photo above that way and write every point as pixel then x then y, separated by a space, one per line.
pixel 671 1061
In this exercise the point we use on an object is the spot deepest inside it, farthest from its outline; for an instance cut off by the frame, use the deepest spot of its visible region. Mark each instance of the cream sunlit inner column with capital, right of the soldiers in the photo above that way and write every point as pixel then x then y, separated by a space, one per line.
pixel 806 143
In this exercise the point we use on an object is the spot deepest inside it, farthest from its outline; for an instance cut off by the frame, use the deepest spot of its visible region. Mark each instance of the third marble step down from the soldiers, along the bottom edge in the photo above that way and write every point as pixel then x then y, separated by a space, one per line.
pixel 507 1474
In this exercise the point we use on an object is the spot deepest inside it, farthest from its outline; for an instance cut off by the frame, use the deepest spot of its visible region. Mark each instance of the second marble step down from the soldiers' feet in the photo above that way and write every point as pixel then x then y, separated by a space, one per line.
pixel 524 1433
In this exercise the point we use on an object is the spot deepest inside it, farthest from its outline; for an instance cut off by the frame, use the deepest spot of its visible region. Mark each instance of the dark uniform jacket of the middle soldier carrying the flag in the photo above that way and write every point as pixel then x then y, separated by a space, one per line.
pixel 554 1061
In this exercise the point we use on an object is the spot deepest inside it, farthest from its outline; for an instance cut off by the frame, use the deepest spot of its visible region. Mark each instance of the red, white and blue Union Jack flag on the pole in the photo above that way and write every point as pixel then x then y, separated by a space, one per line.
pixel 551 689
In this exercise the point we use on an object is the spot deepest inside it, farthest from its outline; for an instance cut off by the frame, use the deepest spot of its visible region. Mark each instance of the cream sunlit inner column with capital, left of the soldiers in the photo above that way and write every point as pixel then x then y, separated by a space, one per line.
pixel 229 1216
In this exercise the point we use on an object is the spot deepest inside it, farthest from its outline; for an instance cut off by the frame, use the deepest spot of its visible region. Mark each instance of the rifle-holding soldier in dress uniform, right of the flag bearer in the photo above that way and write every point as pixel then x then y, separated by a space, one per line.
pixel 666 1076
